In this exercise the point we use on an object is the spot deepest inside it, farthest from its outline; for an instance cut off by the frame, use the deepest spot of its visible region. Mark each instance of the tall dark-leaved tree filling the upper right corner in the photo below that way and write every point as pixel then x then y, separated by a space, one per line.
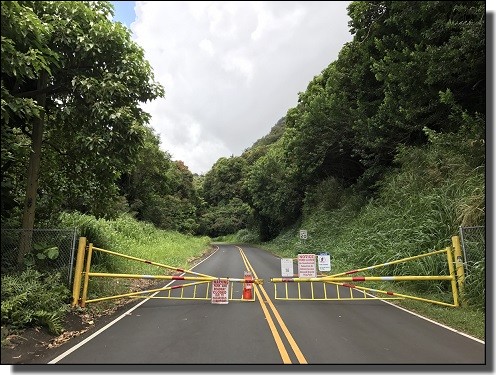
pixel 412 52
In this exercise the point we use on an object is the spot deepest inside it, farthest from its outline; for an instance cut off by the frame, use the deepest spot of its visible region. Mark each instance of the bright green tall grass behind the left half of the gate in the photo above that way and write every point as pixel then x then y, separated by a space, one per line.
pixel 130 237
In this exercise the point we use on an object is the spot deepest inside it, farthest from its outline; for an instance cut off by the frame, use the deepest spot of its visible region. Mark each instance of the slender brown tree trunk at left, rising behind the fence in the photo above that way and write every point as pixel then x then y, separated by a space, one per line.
pixel 33 173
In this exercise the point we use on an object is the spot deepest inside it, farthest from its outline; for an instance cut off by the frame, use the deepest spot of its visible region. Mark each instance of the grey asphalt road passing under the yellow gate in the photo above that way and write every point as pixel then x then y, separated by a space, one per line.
pixel 269 331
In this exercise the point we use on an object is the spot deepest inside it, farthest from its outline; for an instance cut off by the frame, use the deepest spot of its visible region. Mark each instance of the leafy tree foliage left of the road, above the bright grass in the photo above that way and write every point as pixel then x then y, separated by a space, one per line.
pixel 98 156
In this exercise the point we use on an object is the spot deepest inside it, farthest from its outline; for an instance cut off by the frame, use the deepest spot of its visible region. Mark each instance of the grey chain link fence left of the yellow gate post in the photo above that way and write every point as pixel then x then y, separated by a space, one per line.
pixel 51 250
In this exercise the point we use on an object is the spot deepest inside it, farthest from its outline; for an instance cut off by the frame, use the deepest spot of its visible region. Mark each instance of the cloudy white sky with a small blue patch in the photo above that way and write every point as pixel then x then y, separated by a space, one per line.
pixel 230 70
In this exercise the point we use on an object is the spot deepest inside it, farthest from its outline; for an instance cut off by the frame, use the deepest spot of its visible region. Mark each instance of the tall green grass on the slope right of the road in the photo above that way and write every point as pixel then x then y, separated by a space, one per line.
pixel 418 207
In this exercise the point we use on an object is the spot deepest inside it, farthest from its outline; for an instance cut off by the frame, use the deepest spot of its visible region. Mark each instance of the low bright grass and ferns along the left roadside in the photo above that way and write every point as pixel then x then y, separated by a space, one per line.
pixel 41 299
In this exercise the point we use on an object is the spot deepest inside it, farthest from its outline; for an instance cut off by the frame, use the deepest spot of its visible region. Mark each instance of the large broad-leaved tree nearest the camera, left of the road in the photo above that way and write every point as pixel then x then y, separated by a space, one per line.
pixel 88 78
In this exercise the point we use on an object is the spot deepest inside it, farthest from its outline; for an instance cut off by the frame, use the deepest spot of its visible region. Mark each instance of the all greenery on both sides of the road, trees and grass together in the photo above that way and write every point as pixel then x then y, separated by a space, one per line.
pixel 382 158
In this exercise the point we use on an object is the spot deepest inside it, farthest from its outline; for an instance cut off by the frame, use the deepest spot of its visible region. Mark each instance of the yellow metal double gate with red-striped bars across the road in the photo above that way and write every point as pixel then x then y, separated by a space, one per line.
pixel 199 287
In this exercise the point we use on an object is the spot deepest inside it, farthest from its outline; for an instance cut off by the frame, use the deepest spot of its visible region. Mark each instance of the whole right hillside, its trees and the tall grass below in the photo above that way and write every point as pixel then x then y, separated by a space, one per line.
pixel 383 157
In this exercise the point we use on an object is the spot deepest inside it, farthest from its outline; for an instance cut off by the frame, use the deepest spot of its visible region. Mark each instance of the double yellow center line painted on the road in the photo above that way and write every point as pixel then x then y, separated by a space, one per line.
pixel 259 290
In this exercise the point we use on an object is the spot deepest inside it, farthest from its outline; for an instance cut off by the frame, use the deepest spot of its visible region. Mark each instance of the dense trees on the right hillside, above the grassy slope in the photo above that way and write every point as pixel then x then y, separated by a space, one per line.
pixel 411 82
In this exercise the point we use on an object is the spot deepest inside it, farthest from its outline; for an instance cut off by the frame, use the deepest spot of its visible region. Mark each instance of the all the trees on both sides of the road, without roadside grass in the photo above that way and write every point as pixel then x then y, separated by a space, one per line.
pixel 403 104
